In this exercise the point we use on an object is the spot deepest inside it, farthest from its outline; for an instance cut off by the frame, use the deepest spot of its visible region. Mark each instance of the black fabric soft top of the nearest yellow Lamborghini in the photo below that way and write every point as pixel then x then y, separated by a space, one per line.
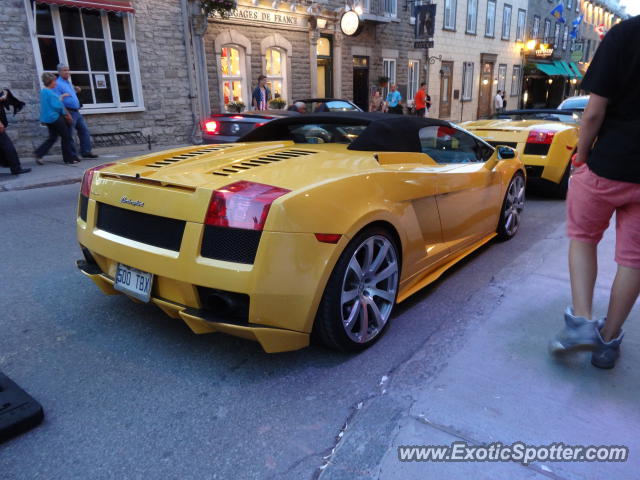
pixel 384 132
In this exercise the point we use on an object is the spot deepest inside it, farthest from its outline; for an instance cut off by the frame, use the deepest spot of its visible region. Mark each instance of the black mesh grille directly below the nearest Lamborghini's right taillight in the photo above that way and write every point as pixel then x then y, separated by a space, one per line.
pixel 230 244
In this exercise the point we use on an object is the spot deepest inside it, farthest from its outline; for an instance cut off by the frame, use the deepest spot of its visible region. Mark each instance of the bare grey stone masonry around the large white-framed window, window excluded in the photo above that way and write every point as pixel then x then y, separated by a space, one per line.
pixel 161 53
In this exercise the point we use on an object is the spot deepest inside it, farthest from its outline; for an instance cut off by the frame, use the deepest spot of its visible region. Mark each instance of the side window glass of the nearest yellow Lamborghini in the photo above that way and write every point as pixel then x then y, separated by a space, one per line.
pixel 449 145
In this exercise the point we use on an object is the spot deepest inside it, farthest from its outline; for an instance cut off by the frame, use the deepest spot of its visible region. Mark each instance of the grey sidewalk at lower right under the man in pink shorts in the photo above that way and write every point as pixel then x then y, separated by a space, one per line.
pixel 499 384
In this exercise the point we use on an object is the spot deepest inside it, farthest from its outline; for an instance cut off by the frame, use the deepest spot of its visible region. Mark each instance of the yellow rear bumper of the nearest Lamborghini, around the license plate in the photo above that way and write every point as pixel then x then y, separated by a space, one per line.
pixel 284 285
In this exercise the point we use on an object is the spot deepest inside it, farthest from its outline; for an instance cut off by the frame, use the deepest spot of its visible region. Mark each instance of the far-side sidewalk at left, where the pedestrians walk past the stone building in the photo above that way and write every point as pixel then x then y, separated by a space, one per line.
pixel 56 172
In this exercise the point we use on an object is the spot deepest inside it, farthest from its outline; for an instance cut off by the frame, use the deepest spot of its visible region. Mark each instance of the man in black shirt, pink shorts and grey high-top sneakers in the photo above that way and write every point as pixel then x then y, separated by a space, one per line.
pixel 606 180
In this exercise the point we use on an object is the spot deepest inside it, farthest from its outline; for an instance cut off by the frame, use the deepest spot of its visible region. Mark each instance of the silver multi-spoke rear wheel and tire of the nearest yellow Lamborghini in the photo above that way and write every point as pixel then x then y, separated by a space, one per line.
pixel 360 294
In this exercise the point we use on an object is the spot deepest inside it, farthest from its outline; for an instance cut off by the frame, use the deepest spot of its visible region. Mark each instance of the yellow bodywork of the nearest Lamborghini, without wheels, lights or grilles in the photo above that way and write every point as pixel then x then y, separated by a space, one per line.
pixel 439 212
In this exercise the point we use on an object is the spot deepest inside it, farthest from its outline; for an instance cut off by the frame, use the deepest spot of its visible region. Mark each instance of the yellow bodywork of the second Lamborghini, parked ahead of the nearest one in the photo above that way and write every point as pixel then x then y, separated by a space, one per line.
pixel 554 163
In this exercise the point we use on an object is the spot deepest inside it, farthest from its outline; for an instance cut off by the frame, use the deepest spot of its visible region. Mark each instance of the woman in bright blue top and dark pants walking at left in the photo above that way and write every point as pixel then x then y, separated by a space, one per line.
pixel 52 114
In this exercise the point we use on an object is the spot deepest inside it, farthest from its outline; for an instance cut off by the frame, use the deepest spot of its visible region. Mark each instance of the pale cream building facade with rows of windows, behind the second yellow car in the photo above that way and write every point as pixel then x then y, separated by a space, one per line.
pixel 476 53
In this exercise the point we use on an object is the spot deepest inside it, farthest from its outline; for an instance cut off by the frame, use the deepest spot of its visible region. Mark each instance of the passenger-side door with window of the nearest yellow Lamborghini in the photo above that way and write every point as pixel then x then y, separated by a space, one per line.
pixel 468 194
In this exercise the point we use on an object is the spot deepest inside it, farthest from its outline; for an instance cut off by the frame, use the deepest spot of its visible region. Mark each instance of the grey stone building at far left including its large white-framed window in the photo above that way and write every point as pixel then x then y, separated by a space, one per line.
pixel 128 57
